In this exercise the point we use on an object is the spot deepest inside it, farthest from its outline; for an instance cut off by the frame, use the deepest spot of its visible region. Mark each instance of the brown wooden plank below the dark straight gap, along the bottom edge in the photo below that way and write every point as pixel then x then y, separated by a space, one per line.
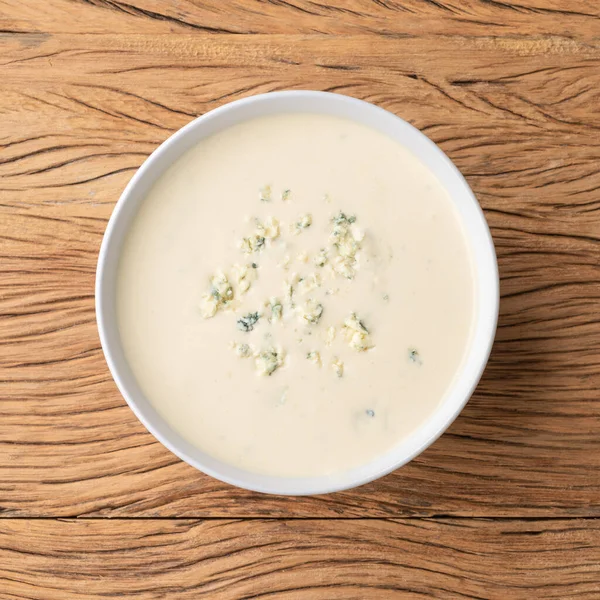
pixel 302 559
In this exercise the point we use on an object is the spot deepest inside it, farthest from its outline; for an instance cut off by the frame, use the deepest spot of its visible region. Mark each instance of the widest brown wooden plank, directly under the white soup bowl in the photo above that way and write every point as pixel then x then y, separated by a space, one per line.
pixel 80 113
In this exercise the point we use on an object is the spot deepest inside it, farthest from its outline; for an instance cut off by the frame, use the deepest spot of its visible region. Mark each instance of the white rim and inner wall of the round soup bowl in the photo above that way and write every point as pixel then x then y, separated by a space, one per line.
pixel 479 239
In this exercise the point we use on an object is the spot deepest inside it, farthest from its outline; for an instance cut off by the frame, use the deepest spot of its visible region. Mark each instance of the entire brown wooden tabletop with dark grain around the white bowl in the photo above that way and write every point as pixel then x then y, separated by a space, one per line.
pixel 505 505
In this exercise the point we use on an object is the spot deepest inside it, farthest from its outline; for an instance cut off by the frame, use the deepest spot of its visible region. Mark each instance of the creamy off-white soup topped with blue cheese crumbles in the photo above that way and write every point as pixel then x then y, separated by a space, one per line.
pixel 296 295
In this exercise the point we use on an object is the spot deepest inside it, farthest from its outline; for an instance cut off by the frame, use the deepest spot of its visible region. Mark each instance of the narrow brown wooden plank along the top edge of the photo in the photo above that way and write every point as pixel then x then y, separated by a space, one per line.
pixel 576 19
